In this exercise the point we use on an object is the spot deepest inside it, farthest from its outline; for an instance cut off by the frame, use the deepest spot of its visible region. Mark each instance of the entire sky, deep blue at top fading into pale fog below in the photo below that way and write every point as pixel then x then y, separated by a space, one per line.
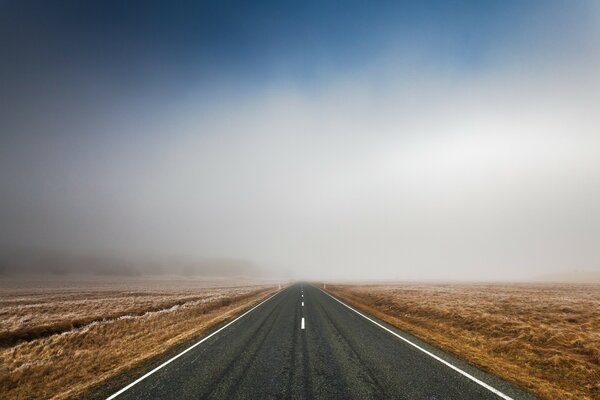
pixel 437 140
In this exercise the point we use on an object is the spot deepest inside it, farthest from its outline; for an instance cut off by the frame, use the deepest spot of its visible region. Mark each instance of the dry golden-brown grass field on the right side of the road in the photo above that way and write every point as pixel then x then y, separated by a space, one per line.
pixel 544 338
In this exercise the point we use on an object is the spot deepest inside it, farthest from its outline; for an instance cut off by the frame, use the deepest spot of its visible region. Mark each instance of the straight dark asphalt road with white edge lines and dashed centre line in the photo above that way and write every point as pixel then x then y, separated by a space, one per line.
pixel 303 344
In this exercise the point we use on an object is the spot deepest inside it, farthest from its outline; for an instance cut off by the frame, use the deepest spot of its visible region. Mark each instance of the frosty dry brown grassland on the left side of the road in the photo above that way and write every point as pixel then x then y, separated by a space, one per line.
pixel 58 340
